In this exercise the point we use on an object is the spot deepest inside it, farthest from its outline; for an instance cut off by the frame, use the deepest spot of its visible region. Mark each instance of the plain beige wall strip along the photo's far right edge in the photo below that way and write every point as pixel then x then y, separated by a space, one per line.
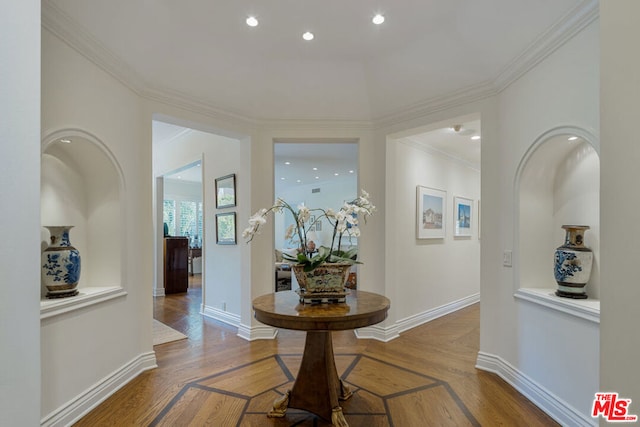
pixel 620 90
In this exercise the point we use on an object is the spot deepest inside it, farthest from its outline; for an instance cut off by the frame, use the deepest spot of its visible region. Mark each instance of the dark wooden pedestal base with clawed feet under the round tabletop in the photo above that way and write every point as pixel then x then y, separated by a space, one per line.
pixel 317 380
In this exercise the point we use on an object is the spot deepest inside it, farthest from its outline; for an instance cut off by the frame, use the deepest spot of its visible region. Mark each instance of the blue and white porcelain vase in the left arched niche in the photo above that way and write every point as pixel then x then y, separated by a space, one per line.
pixel 60 264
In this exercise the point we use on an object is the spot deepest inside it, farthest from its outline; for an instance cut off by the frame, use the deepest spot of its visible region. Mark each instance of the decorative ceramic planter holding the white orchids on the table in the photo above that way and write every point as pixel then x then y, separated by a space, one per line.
pixel 326 278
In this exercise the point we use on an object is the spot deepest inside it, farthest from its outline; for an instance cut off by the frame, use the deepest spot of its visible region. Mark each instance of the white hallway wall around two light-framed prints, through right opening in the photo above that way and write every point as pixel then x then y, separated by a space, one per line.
pixel 428 274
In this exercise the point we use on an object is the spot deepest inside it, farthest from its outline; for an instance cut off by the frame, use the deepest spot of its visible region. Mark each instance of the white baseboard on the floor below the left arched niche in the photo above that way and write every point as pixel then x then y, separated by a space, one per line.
pixel 78 407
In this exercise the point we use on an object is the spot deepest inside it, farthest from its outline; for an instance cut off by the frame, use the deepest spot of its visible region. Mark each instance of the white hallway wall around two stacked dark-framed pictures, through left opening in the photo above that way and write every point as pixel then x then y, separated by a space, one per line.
pixel 221 156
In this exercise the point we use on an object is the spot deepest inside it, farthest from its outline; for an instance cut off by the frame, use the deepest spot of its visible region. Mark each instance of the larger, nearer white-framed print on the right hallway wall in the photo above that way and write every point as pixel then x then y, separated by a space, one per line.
pixel 430 213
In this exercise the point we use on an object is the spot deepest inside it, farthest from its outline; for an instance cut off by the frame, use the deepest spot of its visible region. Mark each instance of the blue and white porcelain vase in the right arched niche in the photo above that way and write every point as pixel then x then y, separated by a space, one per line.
pixel 573 261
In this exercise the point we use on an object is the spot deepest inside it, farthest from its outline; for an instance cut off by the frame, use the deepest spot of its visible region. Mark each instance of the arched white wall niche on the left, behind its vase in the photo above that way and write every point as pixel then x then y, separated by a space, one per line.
pixel 82 185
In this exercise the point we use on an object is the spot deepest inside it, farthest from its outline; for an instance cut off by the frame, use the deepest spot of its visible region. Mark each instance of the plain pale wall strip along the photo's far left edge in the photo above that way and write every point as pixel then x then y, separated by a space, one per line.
pixel 20 189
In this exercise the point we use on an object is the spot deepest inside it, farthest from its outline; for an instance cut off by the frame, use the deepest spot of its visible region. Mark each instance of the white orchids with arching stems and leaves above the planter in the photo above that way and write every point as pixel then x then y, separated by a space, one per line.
pixel 344 222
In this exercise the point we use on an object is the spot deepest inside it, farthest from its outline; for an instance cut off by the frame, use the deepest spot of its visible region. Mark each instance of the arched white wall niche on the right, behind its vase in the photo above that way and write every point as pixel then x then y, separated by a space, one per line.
pixel 557 183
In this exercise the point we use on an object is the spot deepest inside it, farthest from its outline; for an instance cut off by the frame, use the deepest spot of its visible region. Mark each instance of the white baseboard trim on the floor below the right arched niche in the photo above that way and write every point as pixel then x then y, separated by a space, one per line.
pixel 551 404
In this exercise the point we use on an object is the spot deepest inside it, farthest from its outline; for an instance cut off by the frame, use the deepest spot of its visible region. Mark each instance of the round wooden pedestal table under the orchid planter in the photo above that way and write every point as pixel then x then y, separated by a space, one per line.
pixel 317 387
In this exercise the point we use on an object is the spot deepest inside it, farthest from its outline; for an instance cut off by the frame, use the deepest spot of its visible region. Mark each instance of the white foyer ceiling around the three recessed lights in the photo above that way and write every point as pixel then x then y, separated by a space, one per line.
pixel 201 51
